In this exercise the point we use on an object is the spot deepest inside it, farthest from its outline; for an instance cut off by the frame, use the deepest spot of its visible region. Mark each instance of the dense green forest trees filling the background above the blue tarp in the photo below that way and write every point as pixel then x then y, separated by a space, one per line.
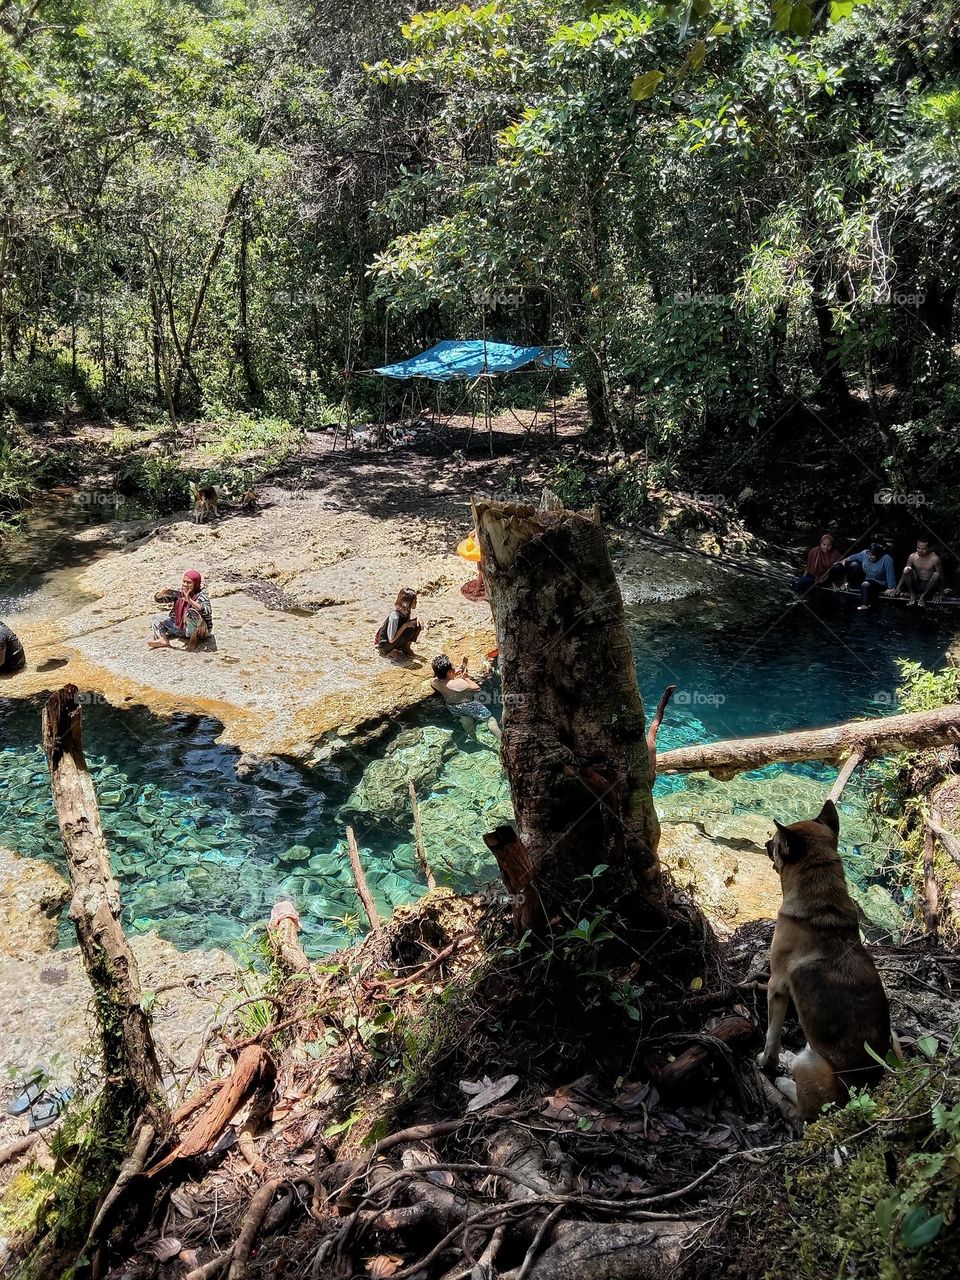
pixel 735 216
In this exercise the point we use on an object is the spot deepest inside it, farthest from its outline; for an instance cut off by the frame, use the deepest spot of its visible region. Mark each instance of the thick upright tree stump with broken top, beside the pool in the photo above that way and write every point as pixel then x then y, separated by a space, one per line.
pixel 574 744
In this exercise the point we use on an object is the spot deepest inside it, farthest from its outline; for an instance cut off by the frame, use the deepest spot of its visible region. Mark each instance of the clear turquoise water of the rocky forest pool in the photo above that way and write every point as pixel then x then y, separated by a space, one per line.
pixel 203 856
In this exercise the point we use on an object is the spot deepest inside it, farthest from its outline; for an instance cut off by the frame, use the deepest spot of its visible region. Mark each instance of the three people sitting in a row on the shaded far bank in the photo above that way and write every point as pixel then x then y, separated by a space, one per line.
pixel 871 573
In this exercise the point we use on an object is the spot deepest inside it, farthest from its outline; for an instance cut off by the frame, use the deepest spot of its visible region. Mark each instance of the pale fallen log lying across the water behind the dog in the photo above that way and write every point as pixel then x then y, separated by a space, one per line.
pixel 884 737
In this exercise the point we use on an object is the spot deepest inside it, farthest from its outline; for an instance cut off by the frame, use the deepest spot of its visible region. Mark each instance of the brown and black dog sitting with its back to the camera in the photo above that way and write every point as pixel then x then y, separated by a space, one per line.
pixel 819 961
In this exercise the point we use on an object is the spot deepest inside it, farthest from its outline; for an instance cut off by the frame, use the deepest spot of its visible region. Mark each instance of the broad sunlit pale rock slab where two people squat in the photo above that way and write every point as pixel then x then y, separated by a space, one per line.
pixel 281 680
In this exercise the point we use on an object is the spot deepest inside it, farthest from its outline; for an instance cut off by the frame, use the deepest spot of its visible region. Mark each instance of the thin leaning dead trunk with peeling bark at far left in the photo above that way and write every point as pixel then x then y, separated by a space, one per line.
pixel 132 1080
